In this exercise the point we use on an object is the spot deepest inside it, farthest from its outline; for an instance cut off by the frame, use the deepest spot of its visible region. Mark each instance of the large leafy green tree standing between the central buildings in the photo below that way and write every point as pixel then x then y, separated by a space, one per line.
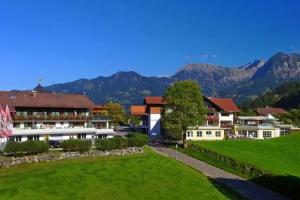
pixel 184 107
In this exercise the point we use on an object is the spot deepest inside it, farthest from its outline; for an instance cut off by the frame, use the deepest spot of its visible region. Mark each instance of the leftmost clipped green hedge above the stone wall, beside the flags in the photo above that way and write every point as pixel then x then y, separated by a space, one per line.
pixel 27 147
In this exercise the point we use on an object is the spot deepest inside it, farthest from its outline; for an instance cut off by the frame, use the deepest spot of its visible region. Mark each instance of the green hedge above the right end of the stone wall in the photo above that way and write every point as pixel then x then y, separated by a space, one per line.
pixel 132 140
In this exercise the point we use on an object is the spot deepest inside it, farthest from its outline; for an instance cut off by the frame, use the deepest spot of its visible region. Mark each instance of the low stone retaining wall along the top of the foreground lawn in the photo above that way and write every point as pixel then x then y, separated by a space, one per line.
pixel 13 161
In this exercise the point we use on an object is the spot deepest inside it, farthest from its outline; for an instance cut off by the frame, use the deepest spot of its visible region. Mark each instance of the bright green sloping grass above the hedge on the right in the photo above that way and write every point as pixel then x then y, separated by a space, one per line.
pixel 280 156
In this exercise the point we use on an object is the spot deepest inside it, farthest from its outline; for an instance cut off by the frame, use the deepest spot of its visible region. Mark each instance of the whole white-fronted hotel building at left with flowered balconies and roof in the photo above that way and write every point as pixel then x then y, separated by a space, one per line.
pixel 53 117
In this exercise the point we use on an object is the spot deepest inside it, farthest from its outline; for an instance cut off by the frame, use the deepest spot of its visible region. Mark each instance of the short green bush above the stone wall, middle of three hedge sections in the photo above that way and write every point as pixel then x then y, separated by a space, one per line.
pixel 76 145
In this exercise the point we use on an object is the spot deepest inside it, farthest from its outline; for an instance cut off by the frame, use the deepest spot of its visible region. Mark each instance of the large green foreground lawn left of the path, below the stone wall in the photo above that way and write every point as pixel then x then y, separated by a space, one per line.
pixel 142 176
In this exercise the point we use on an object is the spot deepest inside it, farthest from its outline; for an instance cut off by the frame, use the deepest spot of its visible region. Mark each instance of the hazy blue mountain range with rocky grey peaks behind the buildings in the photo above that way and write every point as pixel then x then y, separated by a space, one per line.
pixel 241 83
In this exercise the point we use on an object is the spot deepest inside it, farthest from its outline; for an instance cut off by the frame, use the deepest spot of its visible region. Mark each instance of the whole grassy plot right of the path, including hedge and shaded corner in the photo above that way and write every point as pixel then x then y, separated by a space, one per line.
pixel 274 163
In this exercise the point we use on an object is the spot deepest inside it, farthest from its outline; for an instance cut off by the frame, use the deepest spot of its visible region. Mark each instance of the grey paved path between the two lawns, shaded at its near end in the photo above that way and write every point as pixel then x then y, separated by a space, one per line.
pixel 245 188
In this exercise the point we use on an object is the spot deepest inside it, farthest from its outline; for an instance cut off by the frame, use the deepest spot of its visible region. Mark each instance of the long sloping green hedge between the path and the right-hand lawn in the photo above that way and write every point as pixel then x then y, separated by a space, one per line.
pixel 244 168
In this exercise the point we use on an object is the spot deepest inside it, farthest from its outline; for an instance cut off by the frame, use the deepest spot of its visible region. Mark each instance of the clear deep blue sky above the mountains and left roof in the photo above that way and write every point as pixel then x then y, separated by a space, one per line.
pixel 60 41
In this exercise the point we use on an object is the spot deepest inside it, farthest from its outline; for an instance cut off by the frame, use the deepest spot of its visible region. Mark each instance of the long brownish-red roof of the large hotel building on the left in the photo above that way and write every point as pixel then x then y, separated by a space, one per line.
pixel 46 100
